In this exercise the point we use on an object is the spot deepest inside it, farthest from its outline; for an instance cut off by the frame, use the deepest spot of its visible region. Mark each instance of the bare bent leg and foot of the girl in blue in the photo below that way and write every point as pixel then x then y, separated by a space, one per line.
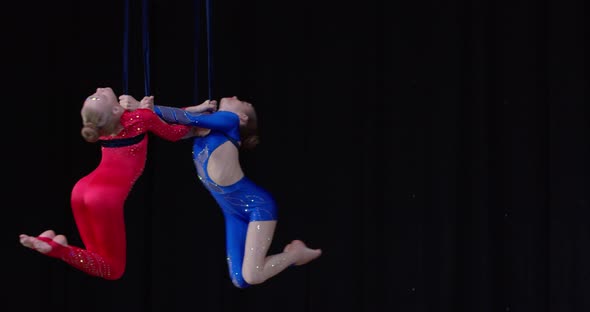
pixel 257 266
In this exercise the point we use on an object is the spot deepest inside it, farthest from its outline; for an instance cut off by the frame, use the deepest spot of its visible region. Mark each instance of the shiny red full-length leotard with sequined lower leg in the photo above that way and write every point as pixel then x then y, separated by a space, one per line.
pixel 98 198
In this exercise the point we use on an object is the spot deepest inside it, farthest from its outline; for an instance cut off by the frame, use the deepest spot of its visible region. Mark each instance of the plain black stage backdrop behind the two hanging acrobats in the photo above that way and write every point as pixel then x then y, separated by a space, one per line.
pixel 437 151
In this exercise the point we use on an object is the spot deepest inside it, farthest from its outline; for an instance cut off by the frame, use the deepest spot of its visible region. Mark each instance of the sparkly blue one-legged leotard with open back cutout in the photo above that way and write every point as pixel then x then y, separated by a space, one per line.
pixel 241 202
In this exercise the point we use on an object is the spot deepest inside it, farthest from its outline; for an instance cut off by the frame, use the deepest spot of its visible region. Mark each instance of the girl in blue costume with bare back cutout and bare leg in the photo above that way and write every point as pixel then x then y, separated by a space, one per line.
pixel 250 211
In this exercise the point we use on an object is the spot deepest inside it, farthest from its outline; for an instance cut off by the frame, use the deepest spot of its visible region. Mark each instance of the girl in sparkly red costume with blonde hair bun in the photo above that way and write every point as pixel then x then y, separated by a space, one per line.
pixel 98 199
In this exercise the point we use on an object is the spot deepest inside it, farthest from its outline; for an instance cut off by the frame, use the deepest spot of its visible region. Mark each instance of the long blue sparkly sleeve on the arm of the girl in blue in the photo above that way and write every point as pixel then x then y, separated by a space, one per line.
pixel 220 121
